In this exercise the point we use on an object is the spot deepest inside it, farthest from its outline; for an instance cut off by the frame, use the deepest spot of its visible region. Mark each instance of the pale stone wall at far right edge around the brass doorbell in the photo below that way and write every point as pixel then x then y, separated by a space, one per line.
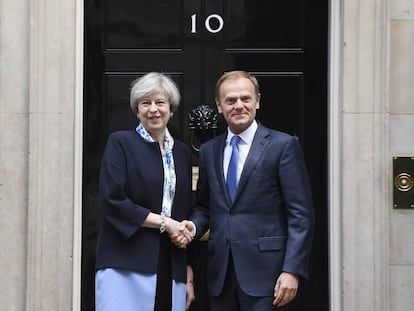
pixel 401 222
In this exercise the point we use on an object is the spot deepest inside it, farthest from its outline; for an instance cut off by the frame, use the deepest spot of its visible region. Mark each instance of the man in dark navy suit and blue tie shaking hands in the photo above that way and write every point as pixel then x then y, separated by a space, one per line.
pixel 260 240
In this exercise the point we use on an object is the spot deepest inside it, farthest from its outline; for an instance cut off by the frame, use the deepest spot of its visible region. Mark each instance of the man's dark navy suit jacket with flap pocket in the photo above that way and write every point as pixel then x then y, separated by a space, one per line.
pixel 269 226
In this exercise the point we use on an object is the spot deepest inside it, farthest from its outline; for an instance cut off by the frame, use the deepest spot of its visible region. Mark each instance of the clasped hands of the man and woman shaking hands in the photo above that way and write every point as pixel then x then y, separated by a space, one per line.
pixel 180 233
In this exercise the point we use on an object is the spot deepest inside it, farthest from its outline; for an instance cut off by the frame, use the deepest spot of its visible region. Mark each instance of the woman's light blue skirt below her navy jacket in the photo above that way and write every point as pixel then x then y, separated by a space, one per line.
pixel 123 290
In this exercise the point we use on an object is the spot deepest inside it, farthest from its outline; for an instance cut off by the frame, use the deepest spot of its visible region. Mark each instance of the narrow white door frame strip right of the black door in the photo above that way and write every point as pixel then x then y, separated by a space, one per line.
pixel 335 30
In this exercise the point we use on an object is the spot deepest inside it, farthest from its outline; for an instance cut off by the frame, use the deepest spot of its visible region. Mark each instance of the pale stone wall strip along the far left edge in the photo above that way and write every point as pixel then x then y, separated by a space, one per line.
pixel 14 81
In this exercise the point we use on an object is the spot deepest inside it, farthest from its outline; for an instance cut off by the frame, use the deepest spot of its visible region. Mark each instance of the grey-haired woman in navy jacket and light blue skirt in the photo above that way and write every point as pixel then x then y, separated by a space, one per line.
pixel 145 190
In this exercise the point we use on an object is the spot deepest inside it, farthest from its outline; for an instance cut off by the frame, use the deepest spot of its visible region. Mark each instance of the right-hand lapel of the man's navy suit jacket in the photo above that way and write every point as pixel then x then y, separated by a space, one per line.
pixel 256 151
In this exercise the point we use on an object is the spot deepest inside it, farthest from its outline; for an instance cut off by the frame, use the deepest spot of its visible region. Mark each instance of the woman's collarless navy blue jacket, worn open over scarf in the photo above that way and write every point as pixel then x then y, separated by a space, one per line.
pixel 131 186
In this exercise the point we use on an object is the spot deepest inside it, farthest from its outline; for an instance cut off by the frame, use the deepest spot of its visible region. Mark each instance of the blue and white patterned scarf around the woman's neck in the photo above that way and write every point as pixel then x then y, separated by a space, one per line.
pixel 169 168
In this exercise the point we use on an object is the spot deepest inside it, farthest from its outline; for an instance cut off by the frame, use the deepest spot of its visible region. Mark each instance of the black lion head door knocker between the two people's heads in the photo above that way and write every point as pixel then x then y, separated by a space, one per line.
pixel 202 122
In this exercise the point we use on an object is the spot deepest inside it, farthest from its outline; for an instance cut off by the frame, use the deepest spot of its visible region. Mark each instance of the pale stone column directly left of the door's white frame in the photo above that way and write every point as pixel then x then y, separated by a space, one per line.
pixel 51 155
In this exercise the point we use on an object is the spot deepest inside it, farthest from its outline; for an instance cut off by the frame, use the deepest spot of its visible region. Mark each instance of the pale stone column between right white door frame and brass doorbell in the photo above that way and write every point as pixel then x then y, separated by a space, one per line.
pixel 365 157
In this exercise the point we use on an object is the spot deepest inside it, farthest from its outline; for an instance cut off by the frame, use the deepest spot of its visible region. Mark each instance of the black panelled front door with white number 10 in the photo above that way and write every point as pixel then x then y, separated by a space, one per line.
pixel 283 43
